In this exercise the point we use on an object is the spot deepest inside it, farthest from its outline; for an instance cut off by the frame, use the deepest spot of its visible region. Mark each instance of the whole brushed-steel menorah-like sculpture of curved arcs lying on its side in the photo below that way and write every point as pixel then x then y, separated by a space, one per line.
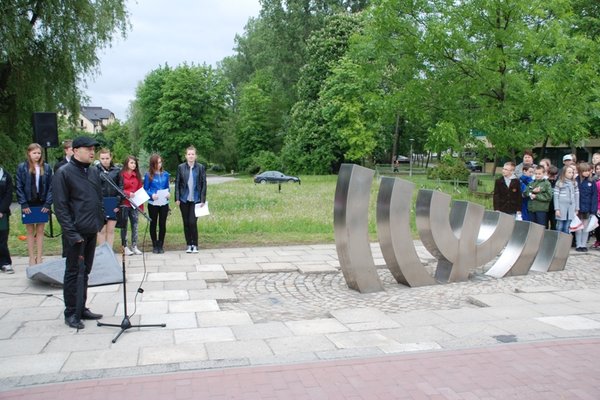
pixel 461 237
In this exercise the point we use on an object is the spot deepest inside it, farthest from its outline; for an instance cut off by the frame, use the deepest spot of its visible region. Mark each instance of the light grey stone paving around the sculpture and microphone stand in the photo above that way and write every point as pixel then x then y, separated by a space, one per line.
pixel 283 305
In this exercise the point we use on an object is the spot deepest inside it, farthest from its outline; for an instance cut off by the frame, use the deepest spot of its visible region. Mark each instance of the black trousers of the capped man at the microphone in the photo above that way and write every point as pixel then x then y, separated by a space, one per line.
pixel 87 249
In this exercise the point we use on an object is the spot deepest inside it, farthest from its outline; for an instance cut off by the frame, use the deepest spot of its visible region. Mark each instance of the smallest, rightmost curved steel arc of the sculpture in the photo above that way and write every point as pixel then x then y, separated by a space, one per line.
pixel 553 252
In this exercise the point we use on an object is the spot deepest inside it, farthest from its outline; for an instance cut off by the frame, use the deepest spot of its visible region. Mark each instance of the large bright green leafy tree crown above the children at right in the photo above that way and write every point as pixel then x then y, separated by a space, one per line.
pixel 515 69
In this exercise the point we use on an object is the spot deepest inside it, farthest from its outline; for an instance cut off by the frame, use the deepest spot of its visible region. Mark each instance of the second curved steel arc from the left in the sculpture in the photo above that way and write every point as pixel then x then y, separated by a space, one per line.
pixel 393 229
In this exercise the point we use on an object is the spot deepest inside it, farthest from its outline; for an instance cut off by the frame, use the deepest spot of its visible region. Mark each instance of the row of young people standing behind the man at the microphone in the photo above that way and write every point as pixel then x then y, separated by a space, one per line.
pixel 33 186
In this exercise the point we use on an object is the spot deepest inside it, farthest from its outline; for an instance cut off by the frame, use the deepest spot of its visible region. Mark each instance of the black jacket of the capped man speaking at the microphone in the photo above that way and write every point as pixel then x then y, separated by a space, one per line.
pixel 78 201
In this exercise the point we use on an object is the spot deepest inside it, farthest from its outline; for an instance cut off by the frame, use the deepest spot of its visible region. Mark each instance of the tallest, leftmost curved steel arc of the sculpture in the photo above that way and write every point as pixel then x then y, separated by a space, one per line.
pixel 350 222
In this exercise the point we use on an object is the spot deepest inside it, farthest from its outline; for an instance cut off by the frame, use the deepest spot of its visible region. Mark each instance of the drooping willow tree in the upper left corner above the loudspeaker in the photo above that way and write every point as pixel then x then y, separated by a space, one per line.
pixel 48 48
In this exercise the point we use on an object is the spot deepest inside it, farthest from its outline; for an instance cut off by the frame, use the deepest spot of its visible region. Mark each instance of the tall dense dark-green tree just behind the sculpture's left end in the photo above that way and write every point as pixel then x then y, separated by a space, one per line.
pixel 326 121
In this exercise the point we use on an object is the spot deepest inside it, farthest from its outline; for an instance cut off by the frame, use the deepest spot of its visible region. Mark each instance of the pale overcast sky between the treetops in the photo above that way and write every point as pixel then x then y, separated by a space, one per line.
pixel 165 32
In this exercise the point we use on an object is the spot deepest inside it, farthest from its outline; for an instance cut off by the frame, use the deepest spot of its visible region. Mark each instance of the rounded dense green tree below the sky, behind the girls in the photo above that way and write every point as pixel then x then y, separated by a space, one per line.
pixel 181 107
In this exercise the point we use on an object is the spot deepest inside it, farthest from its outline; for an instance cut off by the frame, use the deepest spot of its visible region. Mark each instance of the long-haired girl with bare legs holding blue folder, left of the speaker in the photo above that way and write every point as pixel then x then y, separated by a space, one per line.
pixel 34 189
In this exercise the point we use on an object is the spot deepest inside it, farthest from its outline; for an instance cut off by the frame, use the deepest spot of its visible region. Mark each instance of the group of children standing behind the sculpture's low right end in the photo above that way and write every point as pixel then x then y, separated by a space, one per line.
pixel 551 197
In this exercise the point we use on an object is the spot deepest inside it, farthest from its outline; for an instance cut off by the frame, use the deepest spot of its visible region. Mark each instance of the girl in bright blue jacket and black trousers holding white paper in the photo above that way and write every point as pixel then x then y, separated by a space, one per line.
pixel 156 182
